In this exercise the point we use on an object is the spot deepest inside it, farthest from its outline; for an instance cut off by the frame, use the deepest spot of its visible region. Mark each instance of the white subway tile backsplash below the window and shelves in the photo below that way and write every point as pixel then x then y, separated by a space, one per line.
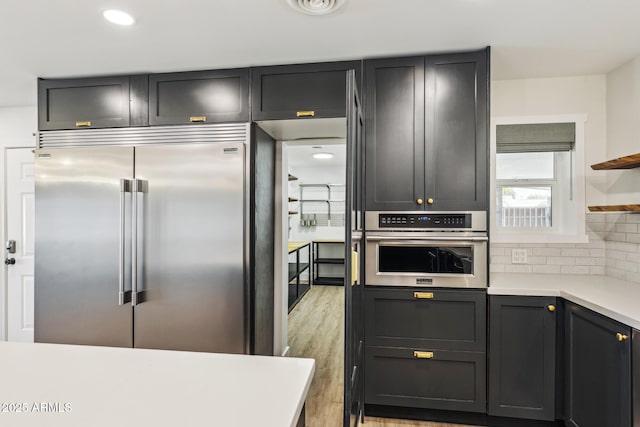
pixel 613 250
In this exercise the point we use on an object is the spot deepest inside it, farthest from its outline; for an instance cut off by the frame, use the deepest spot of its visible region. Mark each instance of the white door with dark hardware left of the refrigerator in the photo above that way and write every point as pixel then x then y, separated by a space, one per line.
pixel 20 228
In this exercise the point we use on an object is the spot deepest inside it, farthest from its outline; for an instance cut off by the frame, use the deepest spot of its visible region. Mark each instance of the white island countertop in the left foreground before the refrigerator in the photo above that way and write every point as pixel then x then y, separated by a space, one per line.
pixel 115 387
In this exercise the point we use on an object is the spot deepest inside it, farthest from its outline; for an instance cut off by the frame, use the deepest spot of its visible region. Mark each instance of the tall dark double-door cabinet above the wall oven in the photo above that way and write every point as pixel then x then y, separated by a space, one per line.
pixel 426 139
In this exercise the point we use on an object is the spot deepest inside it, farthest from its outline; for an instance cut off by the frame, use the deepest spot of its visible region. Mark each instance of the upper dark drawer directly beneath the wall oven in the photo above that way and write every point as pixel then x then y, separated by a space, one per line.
pixel 449 320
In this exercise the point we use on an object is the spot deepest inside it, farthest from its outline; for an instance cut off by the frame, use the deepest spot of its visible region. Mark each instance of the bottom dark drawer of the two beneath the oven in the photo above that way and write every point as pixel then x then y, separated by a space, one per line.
pixel 449 380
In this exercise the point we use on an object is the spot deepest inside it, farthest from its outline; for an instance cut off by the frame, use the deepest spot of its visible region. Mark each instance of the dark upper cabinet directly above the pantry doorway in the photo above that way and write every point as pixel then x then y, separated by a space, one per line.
pixel 301 91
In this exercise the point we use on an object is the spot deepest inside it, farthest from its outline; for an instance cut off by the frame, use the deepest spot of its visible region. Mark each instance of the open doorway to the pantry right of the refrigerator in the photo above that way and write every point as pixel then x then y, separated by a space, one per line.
pixel 311 162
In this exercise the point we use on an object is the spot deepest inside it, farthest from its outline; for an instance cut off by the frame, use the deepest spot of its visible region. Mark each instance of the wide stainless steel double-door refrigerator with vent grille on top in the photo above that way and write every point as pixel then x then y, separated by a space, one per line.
pixel 141 238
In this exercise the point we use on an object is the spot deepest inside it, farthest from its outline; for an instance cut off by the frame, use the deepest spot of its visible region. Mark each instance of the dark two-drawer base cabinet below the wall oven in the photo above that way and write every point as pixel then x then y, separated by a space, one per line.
pixel 425 348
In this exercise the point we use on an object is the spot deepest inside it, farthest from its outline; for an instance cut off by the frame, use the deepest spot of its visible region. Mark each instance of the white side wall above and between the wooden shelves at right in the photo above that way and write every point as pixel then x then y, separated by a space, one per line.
pixel 623 131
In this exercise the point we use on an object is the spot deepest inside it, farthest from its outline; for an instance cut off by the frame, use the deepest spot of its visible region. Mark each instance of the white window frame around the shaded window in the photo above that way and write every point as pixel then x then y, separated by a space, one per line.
pixel 551 234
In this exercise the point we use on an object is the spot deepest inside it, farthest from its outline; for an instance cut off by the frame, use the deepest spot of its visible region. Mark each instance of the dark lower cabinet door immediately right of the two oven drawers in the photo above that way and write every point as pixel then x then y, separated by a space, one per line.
pixel 522 357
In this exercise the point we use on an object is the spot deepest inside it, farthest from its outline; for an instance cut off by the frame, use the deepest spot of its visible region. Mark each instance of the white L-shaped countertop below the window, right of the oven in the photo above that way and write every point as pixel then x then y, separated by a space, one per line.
pixel 614 298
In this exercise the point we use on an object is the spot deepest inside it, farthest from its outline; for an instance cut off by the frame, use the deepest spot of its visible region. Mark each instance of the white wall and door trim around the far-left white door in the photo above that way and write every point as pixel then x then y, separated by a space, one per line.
pixel 17 128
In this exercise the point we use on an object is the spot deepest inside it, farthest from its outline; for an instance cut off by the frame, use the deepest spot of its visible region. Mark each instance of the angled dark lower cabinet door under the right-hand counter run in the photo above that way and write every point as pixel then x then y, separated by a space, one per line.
pixel 598 351
